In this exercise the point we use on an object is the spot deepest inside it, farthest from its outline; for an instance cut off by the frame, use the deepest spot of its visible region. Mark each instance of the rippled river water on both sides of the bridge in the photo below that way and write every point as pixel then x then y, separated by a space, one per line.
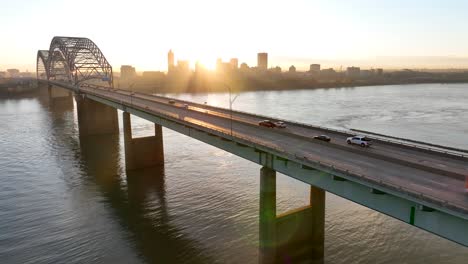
pixel 68 200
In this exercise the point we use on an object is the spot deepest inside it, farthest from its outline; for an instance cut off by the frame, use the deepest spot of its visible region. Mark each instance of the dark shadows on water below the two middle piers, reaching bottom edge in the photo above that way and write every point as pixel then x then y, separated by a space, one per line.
pixel 139 203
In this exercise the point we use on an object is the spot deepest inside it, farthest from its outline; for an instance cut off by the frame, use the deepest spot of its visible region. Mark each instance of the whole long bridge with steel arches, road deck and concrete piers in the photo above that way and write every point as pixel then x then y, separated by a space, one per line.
pixel 419 184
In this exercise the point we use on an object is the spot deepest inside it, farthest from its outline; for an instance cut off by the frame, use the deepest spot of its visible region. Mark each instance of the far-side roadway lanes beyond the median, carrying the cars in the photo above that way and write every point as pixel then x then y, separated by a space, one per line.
pixel 455 167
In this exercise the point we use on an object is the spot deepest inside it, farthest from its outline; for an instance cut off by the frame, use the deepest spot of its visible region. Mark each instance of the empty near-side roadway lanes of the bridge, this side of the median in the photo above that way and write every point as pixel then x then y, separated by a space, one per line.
pixel 416 180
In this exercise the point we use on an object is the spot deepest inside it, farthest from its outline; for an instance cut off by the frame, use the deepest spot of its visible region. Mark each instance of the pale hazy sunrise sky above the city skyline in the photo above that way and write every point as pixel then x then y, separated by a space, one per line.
pixel 331 32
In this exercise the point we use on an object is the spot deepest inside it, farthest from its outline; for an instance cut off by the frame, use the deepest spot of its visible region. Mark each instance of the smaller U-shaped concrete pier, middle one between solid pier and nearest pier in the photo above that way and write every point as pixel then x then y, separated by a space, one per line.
pixel 142 152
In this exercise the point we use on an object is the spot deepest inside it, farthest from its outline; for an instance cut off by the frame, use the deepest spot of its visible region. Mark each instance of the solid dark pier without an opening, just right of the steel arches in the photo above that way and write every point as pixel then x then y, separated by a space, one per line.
pixel 95 118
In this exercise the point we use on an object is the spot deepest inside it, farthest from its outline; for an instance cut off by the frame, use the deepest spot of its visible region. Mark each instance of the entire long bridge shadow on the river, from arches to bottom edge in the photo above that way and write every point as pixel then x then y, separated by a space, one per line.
pixel 137 199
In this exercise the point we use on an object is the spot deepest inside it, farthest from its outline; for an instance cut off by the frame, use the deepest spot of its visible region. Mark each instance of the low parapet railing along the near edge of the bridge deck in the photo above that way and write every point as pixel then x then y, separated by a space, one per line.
pixel 301 159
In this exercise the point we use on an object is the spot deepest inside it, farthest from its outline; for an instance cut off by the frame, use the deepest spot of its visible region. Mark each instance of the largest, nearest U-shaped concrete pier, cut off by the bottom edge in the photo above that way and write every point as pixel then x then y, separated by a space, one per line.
pixel 297 236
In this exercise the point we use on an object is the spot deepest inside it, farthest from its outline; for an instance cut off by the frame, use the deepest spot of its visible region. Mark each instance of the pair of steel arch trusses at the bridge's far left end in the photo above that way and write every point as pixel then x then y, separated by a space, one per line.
pixel 74 60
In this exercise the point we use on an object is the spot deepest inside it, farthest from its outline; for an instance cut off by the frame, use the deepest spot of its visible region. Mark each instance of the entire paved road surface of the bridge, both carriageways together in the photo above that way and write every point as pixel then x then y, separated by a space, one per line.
pixel 416 179
